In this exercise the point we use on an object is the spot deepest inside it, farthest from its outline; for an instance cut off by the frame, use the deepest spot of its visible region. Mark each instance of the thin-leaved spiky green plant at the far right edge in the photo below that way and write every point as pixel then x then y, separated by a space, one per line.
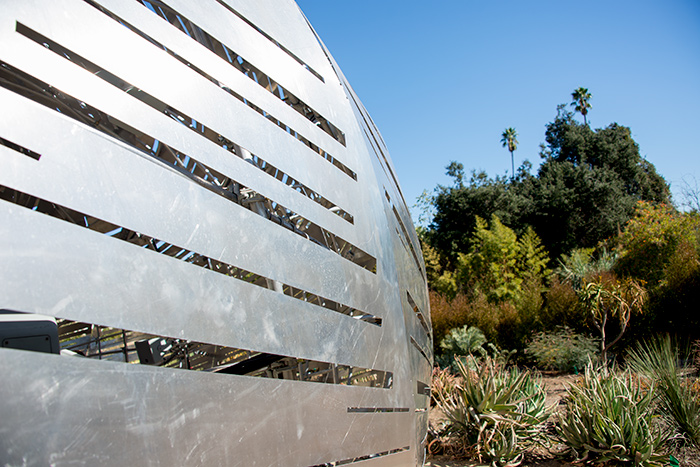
pixel 679 398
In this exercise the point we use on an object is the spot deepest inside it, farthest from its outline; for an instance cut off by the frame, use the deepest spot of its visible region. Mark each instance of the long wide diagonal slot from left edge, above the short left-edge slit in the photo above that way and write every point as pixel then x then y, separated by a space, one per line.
pixel 209 178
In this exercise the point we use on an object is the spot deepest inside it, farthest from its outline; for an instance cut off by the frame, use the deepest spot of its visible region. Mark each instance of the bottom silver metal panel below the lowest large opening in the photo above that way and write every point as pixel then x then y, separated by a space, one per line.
pixel 92 410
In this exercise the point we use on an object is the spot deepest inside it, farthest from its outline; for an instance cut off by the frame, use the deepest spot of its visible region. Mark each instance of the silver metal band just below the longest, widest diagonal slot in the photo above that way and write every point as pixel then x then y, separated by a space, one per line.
pixel 100 170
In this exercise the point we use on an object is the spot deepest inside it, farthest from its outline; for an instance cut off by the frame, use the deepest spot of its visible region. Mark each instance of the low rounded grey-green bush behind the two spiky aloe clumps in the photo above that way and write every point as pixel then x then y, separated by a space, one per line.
pixel 562 350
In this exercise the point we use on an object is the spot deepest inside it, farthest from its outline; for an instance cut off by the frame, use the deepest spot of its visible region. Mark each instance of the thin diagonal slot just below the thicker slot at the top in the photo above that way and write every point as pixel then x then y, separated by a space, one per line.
pixel 287 129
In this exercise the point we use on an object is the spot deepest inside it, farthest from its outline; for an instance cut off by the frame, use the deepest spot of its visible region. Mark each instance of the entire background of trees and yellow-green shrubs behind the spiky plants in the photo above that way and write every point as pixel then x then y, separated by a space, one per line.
pixel 516 256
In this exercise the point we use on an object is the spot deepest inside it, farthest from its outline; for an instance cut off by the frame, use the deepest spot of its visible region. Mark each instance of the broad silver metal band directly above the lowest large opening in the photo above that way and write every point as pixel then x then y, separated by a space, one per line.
pixel 166 297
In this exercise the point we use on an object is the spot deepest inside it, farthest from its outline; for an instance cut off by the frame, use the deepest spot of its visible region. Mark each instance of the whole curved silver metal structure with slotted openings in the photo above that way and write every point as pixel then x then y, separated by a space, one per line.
pixel 195 196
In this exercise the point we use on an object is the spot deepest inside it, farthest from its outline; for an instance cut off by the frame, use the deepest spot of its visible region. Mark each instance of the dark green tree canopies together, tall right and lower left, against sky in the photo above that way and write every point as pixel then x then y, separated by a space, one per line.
pixel 585 190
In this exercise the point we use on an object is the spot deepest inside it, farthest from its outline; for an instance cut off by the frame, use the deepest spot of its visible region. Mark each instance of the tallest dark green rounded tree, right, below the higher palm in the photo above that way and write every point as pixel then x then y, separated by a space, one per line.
pixel 588 184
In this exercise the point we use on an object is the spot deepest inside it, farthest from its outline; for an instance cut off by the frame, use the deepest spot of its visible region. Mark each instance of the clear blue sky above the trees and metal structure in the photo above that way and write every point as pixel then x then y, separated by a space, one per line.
pixel 443 79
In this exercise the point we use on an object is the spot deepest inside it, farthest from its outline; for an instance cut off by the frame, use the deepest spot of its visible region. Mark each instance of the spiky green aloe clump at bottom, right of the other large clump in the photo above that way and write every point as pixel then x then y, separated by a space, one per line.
pixel 608 417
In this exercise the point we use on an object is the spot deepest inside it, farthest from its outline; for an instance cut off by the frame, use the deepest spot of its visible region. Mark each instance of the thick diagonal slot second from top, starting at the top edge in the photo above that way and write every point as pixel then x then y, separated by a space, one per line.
pixel 242 65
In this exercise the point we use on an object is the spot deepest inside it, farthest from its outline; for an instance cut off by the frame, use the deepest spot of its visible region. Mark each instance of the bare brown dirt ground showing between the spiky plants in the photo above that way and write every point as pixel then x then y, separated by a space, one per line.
pixel 556 389
